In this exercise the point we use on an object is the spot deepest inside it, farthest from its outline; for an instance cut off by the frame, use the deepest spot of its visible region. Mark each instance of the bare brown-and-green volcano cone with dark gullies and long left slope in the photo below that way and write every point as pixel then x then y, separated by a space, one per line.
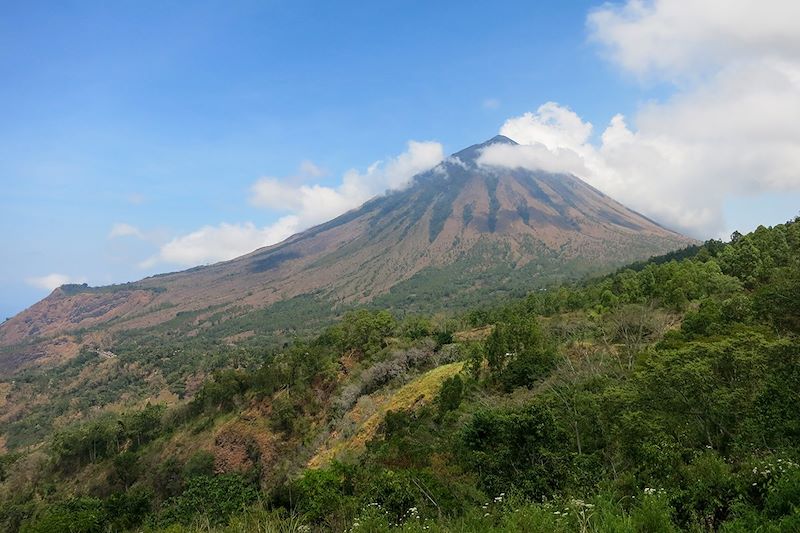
pixel 459 233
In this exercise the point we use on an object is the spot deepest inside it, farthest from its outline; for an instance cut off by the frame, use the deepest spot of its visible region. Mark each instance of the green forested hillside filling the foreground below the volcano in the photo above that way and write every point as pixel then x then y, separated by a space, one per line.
pixel 663 397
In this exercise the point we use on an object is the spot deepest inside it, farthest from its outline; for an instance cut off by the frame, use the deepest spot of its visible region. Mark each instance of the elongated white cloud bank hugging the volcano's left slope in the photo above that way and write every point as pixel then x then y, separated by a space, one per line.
pixel 304 205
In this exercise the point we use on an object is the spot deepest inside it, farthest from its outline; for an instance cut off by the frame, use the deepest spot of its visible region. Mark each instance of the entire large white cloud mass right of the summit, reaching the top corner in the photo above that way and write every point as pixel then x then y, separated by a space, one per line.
pixel 730 128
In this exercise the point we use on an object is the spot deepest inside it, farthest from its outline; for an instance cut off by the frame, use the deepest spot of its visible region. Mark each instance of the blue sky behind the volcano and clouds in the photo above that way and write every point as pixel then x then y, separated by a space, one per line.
pixel 161 116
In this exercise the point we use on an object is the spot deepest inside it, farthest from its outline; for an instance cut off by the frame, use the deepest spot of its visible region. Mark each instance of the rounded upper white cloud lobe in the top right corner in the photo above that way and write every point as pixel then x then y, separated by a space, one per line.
pixel 671 39
